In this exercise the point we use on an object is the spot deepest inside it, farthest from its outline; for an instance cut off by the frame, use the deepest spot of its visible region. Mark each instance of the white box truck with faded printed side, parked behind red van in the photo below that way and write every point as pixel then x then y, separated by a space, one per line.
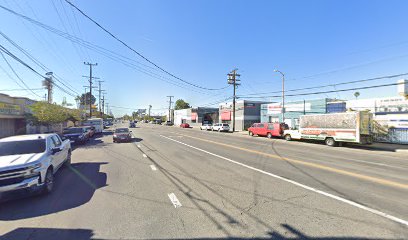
pixel 334 128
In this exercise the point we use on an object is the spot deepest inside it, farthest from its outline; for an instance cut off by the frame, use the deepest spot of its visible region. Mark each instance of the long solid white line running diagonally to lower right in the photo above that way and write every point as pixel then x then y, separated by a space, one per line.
pixel 352 203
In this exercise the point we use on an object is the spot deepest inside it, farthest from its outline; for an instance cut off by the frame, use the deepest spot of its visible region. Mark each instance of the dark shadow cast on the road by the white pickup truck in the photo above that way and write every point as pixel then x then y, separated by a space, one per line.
pixel 74 186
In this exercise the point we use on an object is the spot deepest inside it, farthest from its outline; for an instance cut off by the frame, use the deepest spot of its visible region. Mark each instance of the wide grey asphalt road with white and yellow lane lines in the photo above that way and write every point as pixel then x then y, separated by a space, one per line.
pixel 172 183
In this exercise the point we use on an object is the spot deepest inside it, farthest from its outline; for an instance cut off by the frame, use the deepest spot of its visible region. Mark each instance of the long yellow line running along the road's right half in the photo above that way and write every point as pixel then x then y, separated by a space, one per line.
pixel 313 165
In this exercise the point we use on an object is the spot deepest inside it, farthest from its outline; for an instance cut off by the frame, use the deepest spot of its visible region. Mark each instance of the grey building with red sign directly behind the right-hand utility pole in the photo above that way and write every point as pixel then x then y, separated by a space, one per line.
pixel 246 113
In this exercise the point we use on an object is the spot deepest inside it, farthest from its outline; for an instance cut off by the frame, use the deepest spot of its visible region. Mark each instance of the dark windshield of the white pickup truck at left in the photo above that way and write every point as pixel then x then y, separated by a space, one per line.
pixel 22 147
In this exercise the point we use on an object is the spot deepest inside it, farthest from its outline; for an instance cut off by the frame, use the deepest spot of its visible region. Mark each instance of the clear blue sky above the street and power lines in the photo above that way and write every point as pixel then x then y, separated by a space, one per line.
pixel 313 42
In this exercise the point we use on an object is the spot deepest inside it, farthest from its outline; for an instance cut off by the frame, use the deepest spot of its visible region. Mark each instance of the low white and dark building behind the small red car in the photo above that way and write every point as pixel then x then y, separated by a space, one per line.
pixel 196 116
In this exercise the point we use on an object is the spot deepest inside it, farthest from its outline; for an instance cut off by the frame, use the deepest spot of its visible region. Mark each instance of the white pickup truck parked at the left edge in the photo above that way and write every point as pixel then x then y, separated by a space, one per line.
pixel 29 162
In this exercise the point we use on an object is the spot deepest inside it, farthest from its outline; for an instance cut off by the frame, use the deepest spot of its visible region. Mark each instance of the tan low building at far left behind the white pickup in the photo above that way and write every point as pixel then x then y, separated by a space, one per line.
pixel 12 115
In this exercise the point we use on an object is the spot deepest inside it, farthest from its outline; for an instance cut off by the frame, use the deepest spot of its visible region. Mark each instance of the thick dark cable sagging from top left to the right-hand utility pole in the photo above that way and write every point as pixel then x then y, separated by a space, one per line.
pixel 139 54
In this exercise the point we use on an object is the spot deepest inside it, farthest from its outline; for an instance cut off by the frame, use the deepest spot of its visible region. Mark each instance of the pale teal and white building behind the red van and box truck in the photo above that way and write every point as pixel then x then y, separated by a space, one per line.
pixel 272 112
